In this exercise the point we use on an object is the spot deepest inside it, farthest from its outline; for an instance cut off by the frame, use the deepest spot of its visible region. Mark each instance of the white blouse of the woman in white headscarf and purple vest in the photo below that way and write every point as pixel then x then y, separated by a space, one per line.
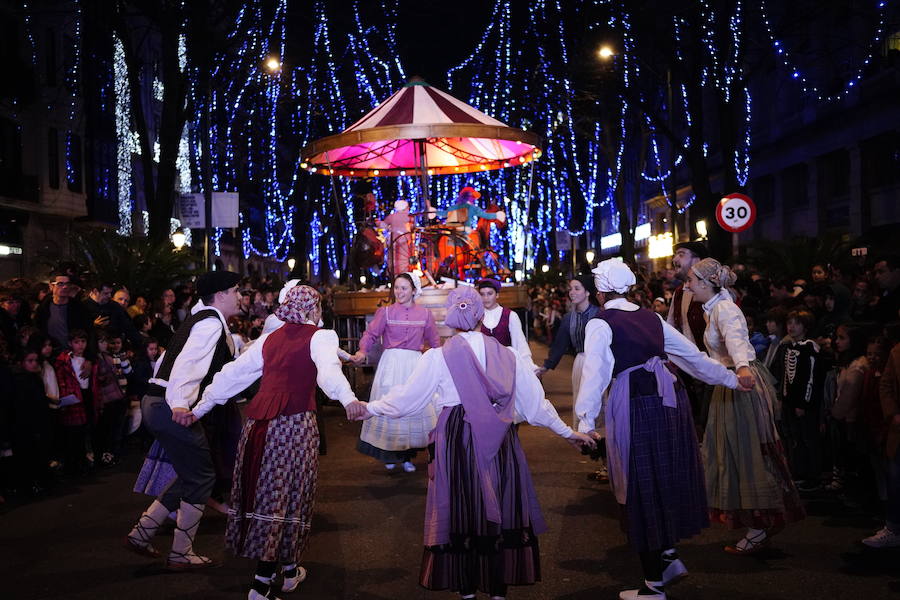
pixel 599 363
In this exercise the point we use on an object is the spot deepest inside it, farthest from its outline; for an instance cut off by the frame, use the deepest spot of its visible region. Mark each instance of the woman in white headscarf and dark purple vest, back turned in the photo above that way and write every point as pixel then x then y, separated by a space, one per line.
pixel 654 462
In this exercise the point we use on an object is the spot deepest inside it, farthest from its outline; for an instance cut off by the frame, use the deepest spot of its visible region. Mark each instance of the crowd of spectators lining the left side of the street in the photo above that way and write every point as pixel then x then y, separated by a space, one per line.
pixel 76 354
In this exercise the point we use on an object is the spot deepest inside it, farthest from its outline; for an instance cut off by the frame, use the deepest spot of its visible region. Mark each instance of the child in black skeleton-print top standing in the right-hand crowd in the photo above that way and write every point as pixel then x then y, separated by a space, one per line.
pixel 799 373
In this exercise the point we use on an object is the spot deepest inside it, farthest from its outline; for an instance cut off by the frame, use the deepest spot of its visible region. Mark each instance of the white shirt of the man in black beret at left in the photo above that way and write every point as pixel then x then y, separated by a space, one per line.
pixel 192 364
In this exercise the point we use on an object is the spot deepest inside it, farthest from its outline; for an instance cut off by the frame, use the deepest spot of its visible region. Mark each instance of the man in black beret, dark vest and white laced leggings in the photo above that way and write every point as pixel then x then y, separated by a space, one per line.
pixel 200 347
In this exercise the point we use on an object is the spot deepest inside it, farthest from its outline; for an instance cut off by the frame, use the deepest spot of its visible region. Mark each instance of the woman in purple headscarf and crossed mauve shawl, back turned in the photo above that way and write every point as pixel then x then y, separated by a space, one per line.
pixel 481 514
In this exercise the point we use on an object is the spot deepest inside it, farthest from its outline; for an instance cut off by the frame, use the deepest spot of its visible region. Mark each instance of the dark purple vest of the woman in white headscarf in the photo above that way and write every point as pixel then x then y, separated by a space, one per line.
pixel 637 337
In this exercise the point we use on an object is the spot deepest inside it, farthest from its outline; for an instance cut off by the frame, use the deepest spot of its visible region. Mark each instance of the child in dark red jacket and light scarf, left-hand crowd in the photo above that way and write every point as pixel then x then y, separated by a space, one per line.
pixel 76 413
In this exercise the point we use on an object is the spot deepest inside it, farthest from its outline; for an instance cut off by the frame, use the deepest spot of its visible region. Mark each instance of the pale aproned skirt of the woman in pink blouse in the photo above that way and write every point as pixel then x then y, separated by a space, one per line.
pixel 405 433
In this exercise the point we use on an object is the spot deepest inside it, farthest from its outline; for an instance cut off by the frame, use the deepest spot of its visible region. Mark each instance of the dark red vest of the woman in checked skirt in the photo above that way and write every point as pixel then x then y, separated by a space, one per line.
pixel 288 383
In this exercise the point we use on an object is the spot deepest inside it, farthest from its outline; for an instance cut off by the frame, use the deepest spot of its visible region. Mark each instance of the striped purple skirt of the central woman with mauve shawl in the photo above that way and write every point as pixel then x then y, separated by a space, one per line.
pixel 482 555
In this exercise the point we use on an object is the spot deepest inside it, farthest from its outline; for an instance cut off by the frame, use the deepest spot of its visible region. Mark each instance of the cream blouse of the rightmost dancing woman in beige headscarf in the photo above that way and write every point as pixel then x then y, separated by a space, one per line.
pixel 726 337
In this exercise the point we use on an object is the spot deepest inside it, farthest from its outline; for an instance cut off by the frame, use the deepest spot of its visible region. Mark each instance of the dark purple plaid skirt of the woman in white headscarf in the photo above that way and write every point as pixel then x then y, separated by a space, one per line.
pixel 666 499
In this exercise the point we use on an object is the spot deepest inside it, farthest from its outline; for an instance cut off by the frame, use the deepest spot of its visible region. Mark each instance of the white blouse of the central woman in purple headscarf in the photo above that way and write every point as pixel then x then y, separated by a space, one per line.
pixel 431 382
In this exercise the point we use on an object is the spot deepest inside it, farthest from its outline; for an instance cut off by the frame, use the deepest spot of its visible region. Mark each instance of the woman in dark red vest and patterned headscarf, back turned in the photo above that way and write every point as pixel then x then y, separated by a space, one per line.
pixel 278 455
